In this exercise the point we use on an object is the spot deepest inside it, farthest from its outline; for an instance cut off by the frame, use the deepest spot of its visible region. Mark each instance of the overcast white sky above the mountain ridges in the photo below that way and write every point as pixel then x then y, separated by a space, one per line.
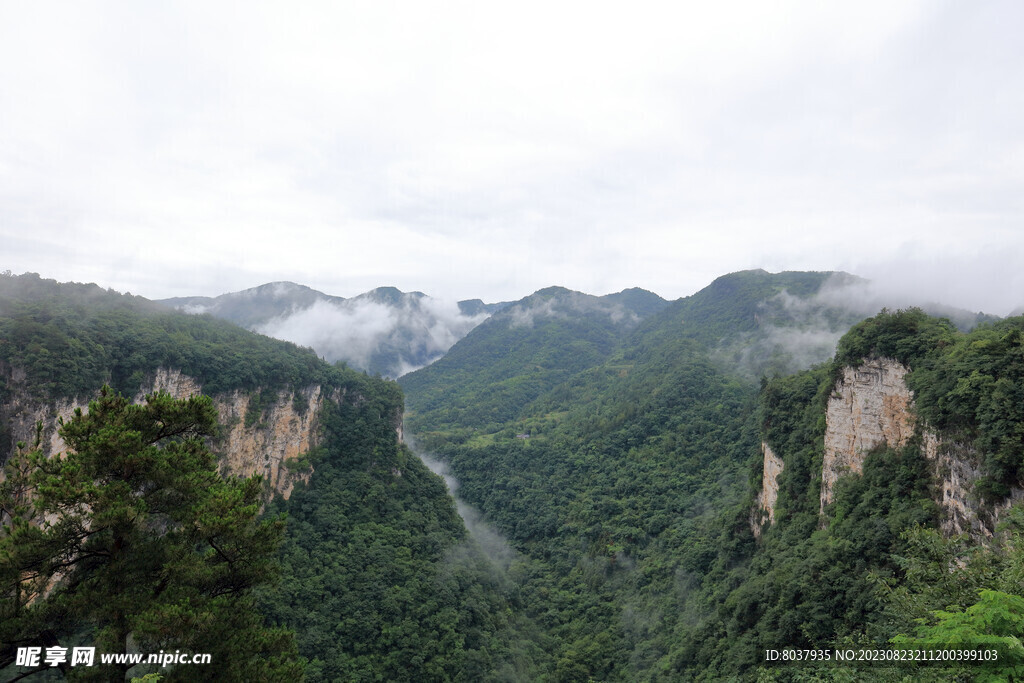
pixel 486 151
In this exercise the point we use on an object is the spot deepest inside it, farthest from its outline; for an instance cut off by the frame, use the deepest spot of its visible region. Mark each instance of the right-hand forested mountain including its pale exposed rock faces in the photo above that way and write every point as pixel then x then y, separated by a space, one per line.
pixel 876 559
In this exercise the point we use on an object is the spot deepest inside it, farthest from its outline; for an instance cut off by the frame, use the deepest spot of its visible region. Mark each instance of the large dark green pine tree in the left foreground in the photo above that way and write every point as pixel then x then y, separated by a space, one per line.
pixel 133 540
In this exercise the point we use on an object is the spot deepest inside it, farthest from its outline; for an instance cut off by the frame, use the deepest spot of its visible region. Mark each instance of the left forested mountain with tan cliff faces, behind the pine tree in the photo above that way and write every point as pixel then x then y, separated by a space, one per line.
pixel 410 597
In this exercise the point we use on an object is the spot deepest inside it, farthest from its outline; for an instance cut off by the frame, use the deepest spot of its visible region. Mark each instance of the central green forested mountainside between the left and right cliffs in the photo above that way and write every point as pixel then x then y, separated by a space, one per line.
pixel 632 488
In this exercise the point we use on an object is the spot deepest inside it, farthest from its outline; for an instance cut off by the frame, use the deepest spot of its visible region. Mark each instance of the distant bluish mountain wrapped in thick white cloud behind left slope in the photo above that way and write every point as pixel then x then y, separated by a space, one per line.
pixel 385 331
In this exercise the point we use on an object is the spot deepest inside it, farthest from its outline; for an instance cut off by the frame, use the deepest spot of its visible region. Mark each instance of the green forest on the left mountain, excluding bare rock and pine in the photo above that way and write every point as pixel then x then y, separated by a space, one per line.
pixel 377 578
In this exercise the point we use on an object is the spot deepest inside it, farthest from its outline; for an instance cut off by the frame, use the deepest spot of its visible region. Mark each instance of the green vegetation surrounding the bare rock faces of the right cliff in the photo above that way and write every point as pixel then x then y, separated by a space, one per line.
pixel 881 573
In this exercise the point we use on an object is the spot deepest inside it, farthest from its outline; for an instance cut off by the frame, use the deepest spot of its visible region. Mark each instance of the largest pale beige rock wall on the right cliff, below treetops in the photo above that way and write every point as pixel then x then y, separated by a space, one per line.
pixel 870 407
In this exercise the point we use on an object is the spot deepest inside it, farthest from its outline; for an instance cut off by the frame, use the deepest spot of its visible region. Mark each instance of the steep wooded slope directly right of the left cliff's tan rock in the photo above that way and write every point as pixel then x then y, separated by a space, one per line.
pixel 380 581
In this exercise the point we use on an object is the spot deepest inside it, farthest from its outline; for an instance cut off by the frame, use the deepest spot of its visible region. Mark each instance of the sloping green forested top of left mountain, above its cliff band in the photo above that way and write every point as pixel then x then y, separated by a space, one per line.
pixel 71 339
